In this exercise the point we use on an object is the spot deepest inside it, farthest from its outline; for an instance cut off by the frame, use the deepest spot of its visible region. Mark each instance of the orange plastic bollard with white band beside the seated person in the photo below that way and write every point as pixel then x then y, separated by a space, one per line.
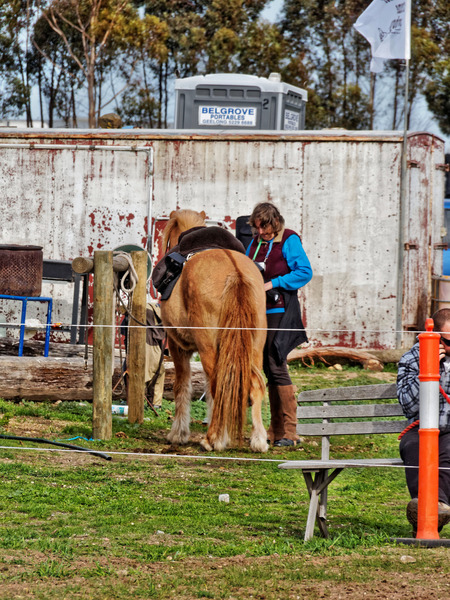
pixel 427 519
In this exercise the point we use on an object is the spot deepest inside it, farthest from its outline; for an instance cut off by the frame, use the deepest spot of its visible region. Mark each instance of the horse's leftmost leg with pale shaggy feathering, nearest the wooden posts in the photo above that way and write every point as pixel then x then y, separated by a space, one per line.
pixel 180 432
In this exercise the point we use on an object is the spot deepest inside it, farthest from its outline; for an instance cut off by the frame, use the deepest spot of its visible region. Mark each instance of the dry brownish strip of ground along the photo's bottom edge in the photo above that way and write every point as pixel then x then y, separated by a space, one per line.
pixel 290 581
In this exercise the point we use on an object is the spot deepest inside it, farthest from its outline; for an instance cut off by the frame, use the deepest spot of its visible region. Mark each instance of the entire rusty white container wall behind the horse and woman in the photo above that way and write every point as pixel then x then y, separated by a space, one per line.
pixel 339 190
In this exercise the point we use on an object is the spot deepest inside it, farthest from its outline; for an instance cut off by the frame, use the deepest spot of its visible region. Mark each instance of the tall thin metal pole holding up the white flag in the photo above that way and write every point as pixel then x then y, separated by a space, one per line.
pixel 402 212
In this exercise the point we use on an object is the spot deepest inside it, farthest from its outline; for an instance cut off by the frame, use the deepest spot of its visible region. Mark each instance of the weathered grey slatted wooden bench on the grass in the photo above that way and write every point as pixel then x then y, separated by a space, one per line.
pixel 341 411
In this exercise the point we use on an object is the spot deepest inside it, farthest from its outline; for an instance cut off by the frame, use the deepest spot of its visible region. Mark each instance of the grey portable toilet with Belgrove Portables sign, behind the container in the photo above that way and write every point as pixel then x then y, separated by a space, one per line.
pixel 230 101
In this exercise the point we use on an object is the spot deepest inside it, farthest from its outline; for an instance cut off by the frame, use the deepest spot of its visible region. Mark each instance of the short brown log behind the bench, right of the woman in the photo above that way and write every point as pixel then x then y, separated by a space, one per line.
pixel 334 354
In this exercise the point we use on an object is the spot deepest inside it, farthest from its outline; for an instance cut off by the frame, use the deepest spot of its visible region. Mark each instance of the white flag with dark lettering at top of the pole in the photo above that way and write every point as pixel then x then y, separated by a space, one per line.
pixel 386 24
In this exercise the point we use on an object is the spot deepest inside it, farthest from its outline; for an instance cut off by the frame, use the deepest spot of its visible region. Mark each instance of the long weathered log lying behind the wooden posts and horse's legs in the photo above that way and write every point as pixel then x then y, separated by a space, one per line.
pixel 50 379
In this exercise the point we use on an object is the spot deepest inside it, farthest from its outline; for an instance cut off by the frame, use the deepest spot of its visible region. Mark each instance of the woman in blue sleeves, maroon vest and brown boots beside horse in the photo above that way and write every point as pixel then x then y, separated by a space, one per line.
pixel 285 268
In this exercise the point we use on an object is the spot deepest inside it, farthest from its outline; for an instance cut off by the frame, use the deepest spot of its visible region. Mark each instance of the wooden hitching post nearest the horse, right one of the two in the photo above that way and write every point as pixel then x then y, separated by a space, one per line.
pixel 137 335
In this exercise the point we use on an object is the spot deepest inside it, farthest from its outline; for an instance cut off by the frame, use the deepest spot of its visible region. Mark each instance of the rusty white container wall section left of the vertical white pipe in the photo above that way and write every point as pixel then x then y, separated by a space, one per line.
pixel 71 202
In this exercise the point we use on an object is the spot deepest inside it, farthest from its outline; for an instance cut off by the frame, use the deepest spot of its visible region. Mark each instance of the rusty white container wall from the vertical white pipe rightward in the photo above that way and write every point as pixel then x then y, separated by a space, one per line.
pixel 343 196
